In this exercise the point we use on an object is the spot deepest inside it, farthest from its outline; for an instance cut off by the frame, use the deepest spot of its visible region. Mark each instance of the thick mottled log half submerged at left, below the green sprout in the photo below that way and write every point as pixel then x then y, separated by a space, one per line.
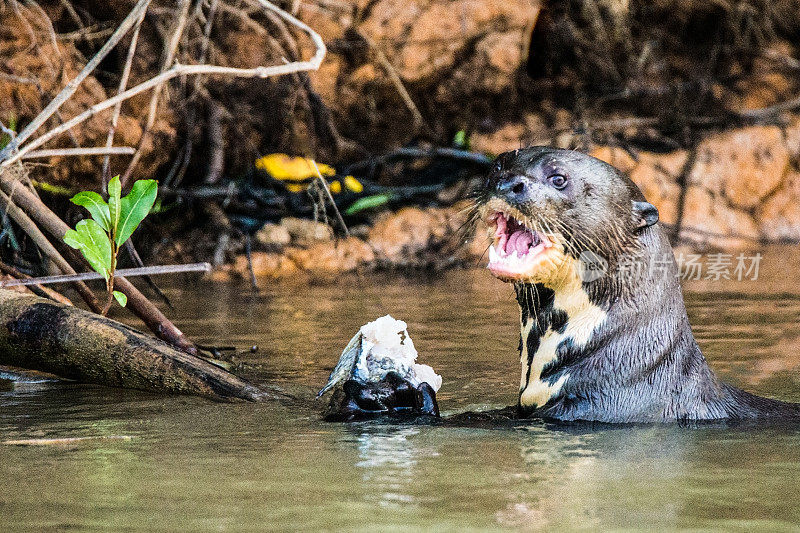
pixel 39 334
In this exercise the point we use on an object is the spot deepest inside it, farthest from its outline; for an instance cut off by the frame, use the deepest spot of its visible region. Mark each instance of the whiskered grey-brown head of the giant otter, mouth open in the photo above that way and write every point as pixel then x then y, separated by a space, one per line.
pixel 548 210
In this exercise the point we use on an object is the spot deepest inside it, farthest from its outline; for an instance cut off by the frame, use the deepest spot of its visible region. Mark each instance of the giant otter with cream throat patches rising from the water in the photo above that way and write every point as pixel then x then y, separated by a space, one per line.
pixel 609 344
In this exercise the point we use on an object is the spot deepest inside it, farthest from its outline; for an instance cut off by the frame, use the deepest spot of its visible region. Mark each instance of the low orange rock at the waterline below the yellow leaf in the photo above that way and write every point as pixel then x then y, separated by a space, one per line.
pixel 332 257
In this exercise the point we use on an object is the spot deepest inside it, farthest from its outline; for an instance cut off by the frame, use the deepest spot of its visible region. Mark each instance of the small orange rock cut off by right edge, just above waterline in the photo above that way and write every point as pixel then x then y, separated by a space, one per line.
pixel 779 217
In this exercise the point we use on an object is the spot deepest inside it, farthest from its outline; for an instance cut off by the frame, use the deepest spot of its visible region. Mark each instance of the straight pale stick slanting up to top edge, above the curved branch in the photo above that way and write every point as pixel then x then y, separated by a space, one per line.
pixel 72 86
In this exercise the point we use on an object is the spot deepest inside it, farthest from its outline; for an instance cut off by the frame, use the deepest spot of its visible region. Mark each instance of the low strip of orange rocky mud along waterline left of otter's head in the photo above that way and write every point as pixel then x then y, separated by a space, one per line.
pixel 410 239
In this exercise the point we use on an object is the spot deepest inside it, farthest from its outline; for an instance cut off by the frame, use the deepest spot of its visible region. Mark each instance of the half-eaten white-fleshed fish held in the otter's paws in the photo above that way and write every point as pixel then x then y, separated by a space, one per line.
pixel 380 347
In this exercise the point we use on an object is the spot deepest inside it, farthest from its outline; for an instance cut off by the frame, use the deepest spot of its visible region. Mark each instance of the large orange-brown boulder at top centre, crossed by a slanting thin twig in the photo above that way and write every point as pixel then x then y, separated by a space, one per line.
pixel 456 58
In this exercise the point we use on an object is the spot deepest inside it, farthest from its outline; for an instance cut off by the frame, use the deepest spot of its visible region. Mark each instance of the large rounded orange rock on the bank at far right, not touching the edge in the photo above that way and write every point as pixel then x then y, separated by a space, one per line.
pixel 742 165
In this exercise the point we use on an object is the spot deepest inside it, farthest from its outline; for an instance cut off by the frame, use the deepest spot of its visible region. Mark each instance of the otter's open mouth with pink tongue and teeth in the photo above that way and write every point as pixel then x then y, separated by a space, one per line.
pixel 517 250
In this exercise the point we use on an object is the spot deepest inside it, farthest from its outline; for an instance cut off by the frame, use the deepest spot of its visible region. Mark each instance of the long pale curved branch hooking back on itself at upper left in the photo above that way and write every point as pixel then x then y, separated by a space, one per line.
pixel 174 72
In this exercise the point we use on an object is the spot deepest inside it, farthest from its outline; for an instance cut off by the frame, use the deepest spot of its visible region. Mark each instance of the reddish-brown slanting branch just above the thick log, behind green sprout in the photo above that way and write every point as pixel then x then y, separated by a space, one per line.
pixel 137 302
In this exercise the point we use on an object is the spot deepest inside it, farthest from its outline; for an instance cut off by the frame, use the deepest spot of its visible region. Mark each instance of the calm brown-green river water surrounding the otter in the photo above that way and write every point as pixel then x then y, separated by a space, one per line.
pixel 191 464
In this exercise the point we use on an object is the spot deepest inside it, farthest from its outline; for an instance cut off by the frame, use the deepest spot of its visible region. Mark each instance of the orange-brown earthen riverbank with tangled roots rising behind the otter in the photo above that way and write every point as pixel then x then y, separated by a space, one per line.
pixel 697 102
